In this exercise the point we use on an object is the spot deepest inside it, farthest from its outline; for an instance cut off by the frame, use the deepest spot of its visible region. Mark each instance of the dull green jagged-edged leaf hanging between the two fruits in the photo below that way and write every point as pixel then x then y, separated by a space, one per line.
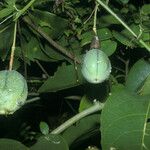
pixel 65 77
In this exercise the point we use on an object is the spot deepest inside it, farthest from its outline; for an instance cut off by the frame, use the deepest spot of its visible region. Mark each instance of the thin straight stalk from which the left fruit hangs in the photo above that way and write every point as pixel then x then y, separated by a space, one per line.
pixel 13 47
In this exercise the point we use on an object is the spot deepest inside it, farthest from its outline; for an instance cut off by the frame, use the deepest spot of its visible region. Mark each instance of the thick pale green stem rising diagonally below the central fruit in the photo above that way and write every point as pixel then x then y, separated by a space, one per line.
pixel 96 107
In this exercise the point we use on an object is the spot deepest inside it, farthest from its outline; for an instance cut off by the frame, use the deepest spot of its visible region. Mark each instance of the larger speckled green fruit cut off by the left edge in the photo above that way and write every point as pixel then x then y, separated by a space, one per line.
pixel 13 91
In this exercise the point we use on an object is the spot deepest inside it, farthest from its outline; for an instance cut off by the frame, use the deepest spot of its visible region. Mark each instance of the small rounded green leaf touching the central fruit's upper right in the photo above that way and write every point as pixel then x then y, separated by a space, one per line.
pixel 109 47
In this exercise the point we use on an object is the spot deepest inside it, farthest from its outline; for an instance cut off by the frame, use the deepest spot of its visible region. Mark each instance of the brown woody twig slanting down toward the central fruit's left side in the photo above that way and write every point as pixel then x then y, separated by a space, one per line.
pixel 50 40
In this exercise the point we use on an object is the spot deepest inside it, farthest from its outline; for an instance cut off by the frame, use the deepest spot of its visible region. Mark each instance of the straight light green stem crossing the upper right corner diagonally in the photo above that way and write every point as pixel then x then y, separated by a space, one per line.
pixel 124 24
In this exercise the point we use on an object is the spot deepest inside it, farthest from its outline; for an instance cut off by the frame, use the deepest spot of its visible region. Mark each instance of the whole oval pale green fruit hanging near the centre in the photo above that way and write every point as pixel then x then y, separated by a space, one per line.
pixel 96 66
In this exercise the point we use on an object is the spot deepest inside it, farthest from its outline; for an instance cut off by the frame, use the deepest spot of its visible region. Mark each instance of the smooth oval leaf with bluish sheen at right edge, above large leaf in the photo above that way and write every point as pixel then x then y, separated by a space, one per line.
pixel 137 75
